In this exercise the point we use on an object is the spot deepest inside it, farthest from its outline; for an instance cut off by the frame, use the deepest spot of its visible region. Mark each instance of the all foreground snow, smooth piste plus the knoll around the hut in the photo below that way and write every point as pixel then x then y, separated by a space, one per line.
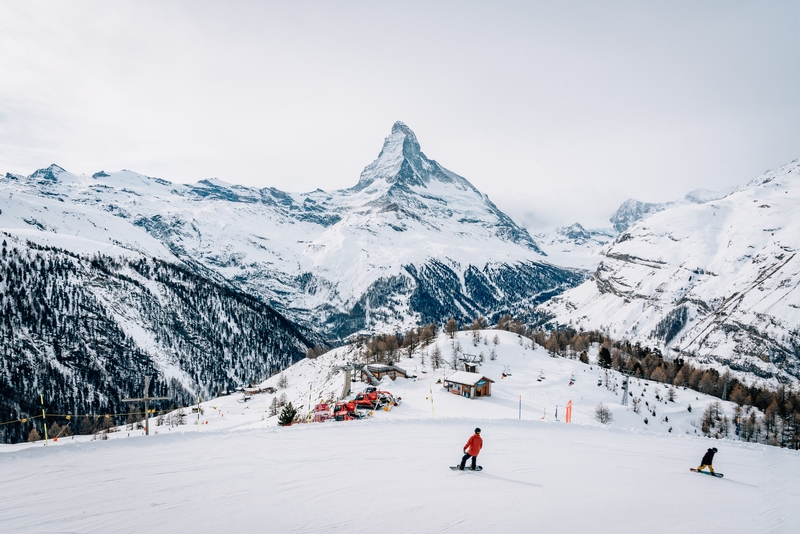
pixel 390 473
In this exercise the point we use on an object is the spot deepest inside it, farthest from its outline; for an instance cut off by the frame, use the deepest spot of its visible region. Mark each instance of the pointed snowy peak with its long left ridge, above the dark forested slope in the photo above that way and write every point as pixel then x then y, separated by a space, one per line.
pixel 411 242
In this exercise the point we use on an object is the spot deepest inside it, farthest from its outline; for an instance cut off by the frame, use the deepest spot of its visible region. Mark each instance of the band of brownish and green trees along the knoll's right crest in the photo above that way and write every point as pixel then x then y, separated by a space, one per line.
pixel 763 415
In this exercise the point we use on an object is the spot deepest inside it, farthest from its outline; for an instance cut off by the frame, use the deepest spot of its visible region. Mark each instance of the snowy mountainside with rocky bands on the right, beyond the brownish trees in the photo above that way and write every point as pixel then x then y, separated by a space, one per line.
pixel 716 280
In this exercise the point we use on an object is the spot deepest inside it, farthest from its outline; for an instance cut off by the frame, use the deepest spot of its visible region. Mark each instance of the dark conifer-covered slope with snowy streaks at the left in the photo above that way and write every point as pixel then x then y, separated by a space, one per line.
pixel 83 331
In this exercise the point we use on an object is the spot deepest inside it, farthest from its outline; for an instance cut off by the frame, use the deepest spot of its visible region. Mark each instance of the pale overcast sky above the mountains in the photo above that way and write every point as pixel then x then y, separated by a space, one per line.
pixel 559 111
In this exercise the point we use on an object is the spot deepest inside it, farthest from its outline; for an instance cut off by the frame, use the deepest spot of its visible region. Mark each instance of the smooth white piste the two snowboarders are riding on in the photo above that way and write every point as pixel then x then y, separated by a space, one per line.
pixel 392 476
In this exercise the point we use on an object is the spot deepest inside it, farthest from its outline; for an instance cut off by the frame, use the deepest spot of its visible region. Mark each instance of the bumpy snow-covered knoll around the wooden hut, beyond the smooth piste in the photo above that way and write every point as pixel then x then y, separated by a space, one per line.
pixel 542 381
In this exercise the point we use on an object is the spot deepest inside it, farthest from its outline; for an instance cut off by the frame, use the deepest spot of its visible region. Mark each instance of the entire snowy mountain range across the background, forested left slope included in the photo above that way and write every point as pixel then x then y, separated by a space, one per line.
pixel 211 285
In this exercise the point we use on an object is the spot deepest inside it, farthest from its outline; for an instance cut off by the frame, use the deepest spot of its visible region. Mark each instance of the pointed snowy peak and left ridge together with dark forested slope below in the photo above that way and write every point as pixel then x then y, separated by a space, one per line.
pixel 208 286
